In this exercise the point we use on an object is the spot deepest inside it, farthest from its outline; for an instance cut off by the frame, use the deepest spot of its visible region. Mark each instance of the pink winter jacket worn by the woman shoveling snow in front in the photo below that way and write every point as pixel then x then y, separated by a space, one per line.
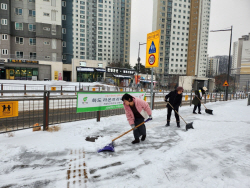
pixel 141 106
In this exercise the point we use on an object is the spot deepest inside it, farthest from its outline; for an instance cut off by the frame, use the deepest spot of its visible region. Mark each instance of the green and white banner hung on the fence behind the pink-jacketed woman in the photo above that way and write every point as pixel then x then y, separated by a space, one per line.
pixel 92 101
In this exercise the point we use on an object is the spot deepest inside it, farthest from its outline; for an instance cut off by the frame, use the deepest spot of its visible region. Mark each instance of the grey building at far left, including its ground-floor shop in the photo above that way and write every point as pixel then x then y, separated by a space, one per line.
pixel 30 33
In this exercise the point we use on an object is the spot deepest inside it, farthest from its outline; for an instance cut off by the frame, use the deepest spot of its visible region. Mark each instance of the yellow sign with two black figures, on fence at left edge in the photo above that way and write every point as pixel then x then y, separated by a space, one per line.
pixel 8 109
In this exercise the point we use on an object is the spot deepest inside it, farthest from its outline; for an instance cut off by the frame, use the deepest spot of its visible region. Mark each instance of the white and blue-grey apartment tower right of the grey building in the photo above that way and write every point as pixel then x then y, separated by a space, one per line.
pixel 96 30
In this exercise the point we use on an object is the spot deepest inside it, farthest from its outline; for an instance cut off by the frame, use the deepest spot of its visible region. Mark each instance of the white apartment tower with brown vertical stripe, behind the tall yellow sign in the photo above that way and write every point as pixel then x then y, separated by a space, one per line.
pixel 184 28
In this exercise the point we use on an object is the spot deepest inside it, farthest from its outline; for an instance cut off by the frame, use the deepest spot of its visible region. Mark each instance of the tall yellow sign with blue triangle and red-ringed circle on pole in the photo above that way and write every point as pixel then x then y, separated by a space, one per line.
pixel 153 48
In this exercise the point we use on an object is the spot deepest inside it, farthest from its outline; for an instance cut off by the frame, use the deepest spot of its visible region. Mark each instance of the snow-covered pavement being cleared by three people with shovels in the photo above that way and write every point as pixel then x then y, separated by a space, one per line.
pixel 214 154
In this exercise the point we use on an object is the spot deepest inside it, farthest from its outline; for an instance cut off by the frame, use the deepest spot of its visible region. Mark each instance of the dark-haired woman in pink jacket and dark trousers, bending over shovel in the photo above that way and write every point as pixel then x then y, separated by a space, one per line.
pixel 136 111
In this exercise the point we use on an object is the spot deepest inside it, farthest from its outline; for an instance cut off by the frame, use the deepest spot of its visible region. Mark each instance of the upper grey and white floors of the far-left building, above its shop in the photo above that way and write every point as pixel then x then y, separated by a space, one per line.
pixel 31 29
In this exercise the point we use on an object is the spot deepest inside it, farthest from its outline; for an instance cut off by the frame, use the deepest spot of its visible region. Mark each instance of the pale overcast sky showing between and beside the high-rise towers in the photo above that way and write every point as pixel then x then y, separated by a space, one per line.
pixel 224 13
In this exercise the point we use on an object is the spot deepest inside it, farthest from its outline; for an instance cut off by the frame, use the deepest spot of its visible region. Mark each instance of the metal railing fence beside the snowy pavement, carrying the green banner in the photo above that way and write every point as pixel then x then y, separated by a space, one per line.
pixel 48 108
